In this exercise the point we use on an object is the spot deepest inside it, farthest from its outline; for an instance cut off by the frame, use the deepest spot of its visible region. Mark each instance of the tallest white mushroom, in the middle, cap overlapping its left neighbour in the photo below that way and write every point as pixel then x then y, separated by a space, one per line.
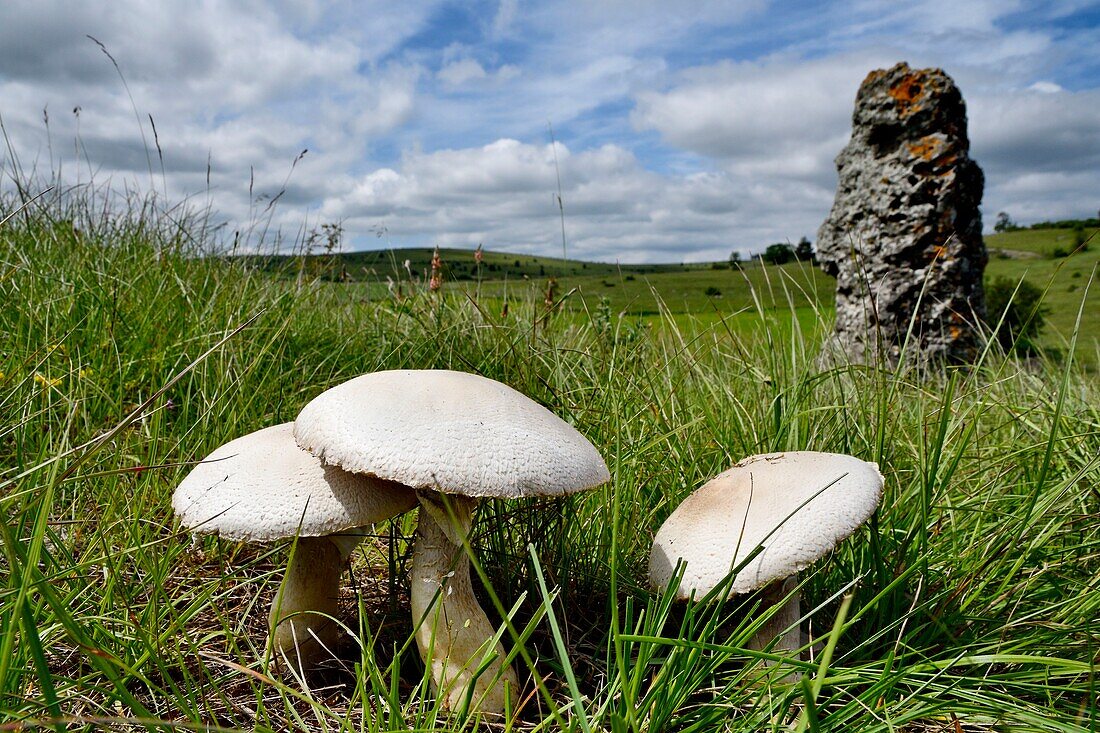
pixel 456 439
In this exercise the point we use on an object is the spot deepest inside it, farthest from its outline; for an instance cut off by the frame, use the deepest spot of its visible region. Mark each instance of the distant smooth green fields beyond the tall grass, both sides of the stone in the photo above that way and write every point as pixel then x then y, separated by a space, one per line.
pixel 709 292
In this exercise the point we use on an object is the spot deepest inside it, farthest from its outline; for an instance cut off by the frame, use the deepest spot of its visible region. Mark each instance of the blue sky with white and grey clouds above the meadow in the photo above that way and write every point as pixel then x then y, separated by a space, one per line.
pixel 683 133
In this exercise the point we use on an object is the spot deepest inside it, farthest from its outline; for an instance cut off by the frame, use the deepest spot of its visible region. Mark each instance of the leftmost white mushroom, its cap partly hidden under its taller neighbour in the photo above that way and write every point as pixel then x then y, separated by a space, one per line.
pixel 265 488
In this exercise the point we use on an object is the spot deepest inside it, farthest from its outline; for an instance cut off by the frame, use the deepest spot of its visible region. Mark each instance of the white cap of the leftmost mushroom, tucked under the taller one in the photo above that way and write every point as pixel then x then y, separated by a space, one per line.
pixel 263 487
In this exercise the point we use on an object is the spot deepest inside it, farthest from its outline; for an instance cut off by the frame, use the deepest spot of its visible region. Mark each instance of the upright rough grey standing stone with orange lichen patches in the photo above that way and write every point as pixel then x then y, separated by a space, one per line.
pixel 905 235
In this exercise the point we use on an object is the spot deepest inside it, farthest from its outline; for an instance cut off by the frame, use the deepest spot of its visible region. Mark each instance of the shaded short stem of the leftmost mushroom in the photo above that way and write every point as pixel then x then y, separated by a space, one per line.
pixel 309 597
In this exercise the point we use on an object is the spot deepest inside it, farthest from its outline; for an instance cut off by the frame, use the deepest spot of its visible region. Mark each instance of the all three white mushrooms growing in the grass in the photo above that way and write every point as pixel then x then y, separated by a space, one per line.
pixel 383 444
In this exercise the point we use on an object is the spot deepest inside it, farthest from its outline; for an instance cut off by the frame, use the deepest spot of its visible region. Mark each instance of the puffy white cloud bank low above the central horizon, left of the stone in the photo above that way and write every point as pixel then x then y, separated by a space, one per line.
pixel 504 194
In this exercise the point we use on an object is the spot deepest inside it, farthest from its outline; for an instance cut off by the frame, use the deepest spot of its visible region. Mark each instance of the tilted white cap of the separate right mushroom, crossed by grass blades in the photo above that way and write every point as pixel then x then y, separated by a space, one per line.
pixel 830 496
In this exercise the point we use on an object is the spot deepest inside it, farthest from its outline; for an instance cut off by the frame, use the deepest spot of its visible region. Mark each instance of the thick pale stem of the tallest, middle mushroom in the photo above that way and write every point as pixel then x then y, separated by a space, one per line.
pixel 453 631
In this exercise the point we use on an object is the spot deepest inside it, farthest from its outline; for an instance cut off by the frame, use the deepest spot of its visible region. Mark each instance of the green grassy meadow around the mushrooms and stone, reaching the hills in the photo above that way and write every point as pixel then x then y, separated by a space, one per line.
pixel 970 603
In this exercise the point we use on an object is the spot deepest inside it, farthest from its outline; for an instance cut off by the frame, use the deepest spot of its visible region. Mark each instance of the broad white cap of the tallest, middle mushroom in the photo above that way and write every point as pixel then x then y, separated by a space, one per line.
pixel 448 432
